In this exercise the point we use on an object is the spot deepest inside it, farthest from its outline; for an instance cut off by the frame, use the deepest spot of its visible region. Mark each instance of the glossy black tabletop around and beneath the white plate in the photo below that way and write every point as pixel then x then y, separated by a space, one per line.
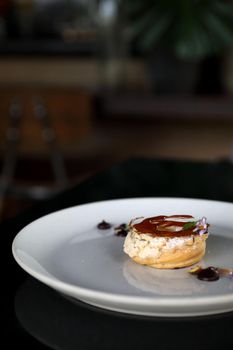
pixel 37 317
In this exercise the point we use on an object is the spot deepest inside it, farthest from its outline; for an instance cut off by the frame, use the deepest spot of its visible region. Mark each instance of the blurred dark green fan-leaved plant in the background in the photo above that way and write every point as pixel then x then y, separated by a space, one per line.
pixel 190 29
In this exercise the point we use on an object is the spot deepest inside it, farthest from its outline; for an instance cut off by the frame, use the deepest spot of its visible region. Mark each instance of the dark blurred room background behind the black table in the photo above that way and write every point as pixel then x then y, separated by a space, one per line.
pixel 86 84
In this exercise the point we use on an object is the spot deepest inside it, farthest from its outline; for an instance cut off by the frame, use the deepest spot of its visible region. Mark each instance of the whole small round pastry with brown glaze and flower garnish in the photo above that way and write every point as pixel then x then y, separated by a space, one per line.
pixel 167 242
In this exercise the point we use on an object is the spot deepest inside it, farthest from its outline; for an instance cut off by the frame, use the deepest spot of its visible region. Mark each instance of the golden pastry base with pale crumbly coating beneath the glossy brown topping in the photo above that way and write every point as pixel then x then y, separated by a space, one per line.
pixel 165 252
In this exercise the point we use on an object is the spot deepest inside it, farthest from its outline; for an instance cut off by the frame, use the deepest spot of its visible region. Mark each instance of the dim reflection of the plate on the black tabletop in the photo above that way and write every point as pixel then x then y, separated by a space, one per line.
pixel 61 323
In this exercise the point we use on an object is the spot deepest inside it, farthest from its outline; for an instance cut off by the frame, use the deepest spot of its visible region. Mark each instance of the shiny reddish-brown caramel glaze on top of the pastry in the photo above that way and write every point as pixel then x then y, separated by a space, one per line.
pixel 158 226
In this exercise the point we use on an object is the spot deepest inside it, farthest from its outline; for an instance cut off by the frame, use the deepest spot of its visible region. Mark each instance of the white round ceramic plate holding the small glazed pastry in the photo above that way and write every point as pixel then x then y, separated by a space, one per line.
pixel 66 251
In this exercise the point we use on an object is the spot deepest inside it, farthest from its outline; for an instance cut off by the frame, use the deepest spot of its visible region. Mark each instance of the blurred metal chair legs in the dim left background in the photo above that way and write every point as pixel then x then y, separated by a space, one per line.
pixel 11 154
